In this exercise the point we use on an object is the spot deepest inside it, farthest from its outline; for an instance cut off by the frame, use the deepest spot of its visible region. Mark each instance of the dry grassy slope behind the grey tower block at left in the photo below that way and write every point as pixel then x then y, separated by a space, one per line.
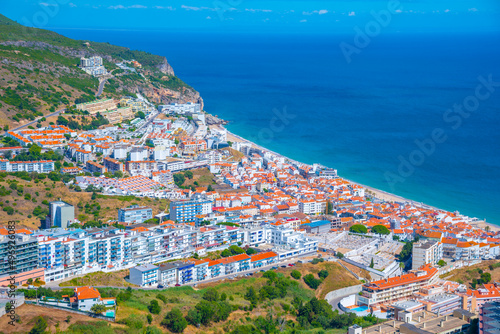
pixel 47 190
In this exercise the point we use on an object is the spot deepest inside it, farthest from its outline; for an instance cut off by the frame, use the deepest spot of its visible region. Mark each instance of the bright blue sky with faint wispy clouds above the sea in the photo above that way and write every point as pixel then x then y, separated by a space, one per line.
pixel 258 16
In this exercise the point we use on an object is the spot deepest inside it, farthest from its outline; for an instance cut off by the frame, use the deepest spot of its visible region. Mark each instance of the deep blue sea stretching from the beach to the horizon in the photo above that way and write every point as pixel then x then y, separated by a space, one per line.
pixel 297 95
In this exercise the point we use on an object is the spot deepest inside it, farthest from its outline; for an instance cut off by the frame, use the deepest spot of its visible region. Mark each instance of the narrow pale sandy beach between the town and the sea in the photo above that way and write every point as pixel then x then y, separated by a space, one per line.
pixel 379 194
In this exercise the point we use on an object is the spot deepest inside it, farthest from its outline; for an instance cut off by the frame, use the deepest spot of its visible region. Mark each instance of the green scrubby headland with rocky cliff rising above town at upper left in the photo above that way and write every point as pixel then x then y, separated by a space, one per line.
pixel 39 74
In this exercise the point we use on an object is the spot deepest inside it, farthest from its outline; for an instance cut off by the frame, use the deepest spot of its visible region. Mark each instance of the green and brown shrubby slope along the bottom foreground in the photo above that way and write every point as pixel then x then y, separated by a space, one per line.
pixel 279 303
